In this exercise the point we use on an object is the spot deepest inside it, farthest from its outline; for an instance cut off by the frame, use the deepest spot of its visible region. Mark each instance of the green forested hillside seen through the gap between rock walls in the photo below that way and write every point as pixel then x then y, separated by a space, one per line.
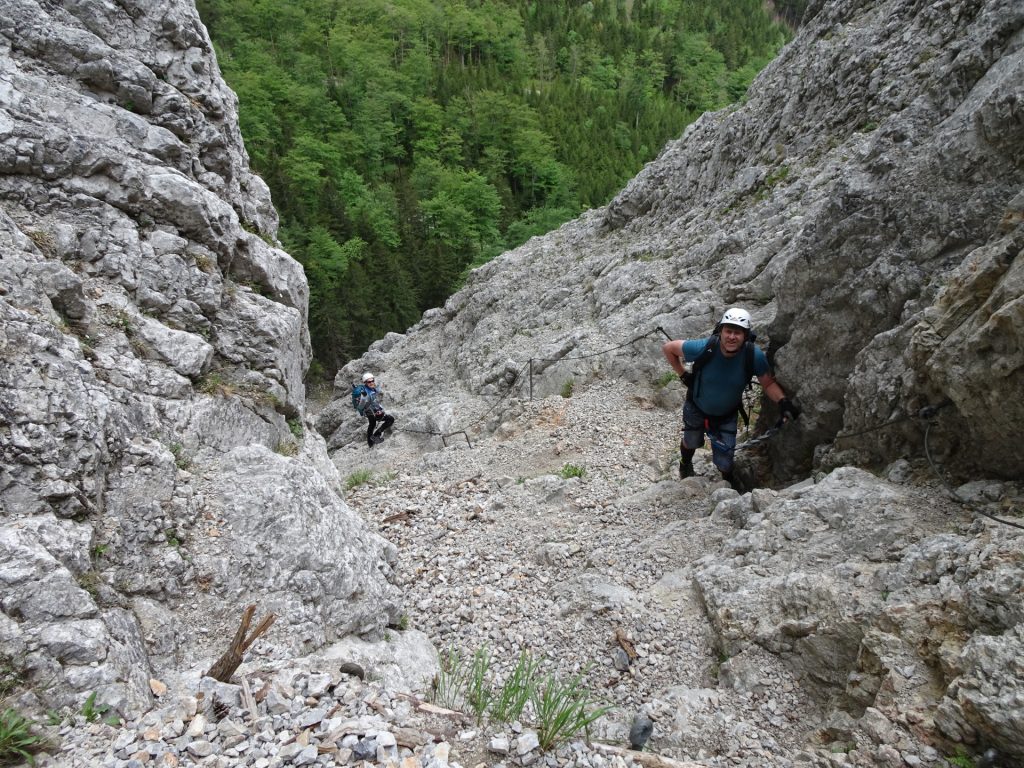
pixel 407 142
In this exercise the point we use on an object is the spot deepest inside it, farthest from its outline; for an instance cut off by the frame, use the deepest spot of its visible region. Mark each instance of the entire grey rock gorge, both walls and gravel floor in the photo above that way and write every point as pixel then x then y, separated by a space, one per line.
pixel 161 470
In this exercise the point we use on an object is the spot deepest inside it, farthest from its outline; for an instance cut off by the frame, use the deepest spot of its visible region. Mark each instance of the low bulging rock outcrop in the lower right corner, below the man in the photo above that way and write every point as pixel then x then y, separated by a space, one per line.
pixel 867 593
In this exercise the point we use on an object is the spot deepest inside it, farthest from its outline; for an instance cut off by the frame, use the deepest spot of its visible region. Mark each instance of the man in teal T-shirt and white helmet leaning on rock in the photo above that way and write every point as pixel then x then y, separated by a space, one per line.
pixel 722 367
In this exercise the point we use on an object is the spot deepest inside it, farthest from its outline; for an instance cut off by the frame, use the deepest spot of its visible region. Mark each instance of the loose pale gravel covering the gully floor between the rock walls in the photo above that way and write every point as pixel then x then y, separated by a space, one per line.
pixel 566 535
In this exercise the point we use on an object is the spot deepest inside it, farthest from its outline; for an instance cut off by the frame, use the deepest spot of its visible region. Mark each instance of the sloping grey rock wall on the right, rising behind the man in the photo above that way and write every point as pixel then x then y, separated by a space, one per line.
pixel 864 202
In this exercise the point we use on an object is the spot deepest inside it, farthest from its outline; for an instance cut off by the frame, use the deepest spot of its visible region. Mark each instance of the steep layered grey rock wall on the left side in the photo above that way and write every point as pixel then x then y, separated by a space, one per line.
pixel 157 475
